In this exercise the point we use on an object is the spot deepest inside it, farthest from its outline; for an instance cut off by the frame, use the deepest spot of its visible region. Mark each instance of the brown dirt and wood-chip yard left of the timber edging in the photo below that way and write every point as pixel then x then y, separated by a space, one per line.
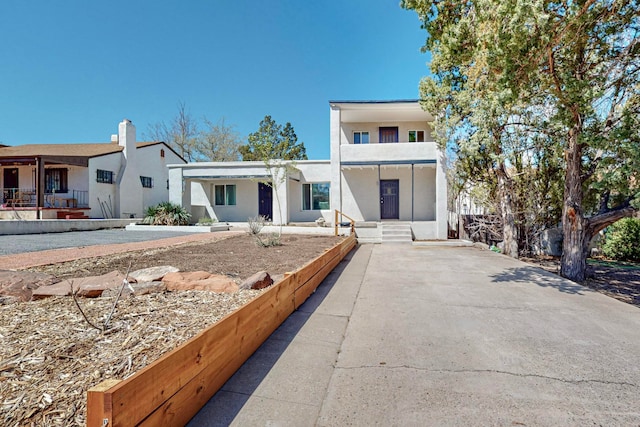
pixel 50 356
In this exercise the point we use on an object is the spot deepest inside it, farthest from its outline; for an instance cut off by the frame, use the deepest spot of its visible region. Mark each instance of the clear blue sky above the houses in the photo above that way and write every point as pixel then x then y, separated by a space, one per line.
pixel 72 69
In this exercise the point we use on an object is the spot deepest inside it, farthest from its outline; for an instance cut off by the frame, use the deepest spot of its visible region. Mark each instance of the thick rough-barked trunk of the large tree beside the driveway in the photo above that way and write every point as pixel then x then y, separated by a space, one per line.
pixel 574 227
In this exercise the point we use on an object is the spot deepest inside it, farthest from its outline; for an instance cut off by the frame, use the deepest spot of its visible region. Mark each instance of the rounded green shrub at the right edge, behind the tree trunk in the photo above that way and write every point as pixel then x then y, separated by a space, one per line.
pixel 622 240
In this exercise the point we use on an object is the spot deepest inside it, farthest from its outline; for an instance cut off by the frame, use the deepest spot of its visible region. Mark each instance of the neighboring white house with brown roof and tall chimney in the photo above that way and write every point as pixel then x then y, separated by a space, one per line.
pixel 119 179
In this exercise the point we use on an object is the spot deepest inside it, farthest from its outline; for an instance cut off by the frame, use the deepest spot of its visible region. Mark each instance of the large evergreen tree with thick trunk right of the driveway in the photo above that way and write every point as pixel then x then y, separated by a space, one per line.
pixel 563 74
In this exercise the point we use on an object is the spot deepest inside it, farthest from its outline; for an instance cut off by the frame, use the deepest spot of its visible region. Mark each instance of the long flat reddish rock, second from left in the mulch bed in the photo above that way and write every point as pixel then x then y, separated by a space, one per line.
pixel 89 287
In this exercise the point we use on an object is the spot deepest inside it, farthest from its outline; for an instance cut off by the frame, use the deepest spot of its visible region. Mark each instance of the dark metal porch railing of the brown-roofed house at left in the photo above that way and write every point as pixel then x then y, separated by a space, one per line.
pixel 26 198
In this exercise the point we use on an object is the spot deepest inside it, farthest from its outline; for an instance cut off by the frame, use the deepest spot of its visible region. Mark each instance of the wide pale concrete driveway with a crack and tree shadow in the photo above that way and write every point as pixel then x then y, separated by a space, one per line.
pixel 404 335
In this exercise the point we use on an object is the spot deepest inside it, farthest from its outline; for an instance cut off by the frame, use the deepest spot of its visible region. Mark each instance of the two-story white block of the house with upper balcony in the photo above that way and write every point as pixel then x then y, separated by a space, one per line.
pixel 385 165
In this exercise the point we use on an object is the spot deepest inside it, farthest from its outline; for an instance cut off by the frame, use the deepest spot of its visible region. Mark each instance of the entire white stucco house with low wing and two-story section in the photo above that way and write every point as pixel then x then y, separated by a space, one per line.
pixel 384 170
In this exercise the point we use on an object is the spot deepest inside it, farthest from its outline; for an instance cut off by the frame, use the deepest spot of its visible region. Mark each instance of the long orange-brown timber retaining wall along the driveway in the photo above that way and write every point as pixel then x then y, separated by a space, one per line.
pixel 171 390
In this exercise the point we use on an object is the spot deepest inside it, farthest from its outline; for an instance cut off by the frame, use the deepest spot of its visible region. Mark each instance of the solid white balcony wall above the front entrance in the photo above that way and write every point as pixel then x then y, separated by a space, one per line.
pixel 398 152
